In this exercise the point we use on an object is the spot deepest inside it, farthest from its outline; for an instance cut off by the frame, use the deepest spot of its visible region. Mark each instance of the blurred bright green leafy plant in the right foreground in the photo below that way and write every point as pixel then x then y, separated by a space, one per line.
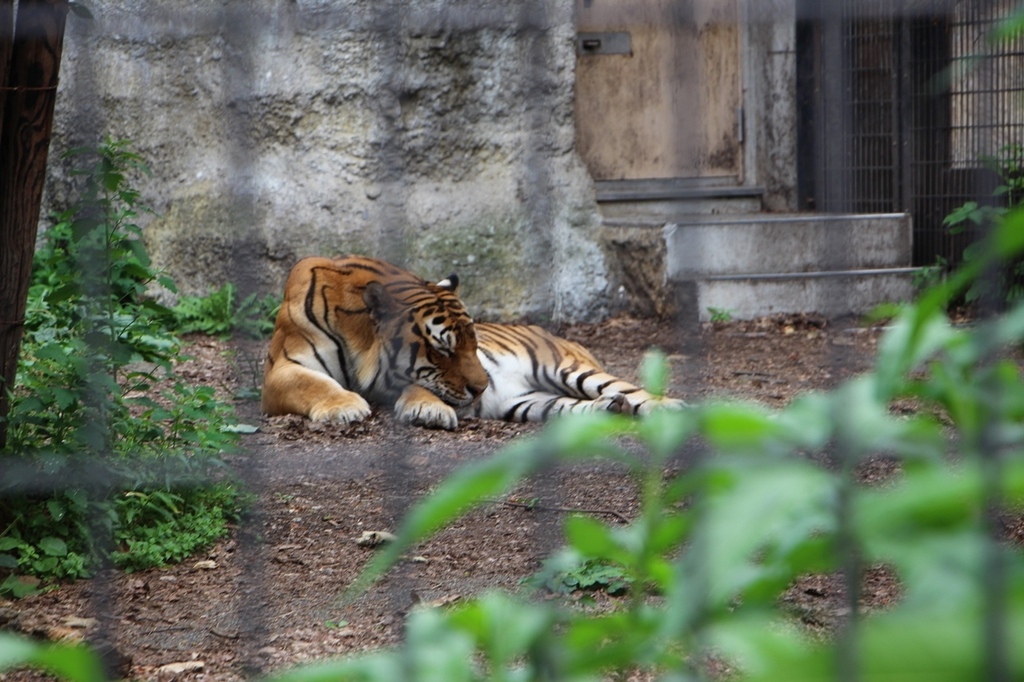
pixel 712 550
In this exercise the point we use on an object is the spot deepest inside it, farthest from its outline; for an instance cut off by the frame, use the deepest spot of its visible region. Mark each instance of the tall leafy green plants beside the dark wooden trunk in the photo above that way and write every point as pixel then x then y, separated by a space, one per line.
pixel 99 409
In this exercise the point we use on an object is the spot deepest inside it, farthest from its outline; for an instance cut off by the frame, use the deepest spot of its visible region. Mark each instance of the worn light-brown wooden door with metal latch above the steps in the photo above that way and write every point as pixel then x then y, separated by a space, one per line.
pixel 669 107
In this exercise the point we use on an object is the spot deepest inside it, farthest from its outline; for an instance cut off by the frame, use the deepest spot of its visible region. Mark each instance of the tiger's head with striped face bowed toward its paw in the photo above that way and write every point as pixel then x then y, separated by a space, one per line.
pixel 429 338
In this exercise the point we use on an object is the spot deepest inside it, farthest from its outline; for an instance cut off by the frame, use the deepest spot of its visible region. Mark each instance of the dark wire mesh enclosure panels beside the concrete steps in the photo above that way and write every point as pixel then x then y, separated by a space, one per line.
pixel 911 81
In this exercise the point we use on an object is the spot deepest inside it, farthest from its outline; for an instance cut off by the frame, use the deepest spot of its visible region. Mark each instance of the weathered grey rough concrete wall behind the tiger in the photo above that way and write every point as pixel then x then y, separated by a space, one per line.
pixel 436 135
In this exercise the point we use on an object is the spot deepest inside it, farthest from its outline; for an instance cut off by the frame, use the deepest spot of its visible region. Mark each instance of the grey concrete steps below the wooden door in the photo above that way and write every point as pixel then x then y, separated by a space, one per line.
pixel 715 252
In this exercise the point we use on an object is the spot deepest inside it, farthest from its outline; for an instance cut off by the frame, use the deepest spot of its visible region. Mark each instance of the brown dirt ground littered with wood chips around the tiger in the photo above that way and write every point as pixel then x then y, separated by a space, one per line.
pixel 269 596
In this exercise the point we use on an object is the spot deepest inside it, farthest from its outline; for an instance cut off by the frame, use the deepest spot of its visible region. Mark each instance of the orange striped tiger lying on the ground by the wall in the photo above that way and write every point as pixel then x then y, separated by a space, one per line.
pixel 354 331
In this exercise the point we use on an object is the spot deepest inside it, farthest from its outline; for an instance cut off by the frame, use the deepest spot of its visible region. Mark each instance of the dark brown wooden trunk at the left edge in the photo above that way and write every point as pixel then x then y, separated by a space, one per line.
pixel 28 93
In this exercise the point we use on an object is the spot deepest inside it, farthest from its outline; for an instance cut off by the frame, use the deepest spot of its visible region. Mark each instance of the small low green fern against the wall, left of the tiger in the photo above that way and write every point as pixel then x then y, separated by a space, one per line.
pixel 220 314
